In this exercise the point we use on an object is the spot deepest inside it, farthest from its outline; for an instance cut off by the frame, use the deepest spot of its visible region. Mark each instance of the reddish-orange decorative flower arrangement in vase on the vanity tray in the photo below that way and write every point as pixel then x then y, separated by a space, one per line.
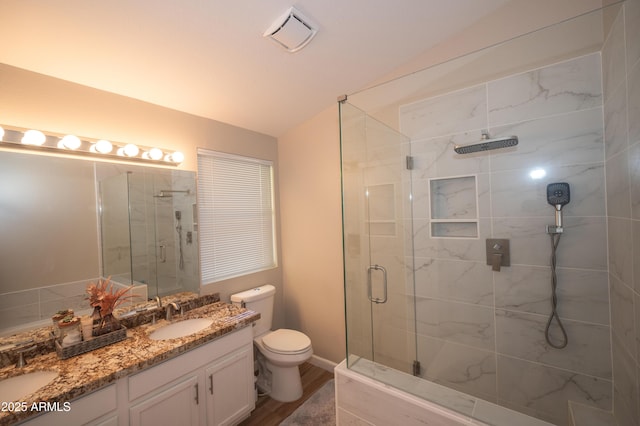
pixel 104 299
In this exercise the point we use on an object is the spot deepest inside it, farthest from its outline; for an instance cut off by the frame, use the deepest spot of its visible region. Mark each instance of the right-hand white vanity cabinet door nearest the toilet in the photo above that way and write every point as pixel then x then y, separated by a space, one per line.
pixel 230 388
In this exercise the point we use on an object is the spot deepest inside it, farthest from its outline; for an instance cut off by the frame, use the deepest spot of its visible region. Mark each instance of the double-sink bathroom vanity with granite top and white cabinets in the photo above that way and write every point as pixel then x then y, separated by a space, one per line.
pixel 205 378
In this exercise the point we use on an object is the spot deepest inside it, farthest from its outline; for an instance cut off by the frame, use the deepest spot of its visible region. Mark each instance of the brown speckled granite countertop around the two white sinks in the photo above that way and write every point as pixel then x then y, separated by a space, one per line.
pixel 88 372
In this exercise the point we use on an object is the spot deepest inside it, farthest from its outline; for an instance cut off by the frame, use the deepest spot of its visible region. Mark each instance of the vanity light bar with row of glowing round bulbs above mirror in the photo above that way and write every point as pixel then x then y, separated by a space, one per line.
pixel 29 139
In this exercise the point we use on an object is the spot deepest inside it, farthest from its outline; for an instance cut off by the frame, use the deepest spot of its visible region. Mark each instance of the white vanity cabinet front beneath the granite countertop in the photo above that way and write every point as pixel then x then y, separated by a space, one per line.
pixel 209 385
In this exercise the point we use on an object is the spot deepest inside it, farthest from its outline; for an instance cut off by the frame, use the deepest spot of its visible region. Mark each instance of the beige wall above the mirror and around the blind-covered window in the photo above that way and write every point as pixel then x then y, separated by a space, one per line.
pixel 32 100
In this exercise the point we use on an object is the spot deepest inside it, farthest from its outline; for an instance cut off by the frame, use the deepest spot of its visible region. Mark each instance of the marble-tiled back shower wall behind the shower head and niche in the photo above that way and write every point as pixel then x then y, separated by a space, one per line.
pixel 482 332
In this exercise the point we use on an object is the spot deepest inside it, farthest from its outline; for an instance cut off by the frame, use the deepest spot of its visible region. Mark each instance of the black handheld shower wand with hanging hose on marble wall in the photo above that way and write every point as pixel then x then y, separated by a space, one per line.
pixel 558 195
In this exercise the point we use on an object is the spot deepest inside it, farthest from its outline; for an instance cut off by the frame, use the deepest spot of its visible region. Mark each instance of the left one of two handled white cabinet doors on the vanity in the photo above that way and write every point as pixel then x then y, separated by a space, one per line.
pixel 177 405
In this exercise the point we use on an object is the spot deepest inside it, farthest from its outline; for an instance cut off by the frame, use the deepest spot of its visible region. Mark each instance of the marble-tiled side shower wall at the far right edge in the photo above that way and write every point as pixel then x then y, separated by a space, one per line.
pixel 621 86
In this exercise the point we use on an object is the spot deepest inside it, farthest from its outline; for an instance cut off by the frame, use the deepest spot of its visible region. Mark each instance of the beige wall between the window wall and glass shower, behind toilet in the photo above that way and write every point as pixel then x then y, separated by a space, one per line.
pixel 311 211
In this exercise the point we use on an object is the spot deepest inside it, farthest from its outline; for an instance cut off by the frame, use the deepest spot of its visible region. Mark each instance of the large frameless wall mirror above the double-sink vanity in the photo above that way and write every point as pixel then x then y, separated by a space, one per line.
pixel 65 222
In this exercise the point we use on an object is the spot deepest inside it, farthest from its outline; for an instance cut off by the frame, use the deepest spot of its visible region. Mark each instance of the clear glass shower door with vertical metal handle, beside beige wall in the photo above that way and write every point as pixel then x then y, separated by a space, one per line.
pixel 377 230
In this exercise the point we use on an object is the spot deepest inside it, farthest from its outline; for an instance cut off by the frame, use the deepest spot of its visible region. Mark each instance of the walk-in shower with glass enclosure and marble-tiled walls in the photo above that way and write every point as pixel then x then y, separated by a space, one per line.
pixel 421 302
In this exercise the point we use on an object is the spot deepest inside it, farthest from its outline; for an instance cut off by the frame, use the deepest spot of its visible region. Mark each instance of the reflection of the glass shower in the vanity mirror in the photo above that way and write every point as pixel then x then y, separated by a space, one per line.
pixel 148 229
